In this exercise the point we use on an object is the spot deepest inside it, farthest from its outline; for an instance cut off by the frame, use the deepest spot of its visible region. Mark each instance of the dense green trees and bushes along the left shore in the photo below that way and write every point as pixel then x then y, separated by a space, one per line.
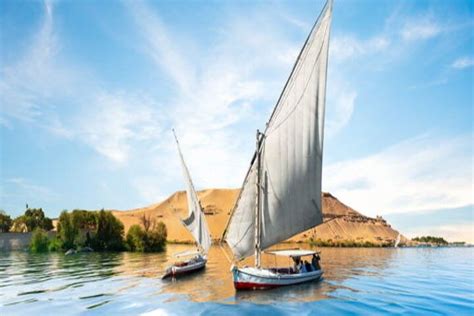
pixel 82 230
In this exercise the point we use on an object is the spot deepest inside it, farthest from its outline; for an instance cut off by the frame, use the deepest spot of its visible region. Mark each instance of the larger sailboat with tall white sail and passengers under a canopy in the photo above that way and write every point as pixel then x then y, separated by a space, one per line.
pixel 281 193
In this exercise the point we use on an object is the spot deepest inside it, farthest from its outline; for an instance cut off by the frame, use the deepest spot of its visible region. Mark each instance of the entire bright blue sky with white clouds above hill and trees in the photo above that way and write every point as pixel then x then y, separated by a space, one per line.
pixel 90 90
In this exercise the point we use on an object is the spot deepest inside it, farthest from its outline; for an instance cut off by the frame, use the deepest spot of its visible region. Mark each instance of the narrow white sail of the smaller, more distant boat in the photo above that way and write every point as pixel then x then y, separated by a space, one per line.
pixel 195 223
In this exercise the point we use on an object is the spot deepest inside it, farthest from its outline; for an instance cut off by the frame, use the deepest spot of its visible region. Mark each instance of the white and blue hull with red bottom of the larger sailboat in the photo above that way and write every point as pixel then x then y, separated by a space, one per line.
pixel 260 279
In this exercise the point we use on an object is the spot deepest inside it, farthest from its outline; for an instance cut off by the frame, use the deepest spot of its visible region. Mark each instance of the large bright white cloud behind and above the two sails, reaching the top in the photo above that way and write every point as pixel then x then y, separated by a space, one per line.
pixel 216 93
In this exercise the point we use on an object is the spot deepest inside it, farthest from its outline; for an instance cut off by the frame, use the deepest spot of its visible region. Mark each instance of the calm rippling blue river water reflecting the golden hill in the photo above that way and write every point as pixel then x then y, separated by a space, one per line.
pixel 356 281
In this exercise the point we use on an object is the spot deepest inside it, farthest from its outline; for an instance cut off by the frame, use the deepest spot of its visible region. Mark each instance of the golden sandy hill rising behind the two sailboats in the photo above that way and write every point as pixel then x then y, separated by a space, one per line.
pixel 341 223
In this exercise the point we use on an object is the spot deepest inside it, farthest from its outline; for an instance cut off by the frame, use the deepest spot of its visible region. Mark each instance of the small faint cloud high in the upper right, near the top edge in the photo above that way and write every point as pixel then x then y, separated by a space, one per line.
pixel 420 29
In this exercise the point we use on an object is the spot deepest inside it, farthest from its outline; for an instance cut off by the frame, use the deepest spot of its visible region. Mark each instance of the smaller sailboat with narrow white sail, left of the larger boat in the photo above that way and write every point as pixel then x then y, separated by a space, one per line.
pixel 196 224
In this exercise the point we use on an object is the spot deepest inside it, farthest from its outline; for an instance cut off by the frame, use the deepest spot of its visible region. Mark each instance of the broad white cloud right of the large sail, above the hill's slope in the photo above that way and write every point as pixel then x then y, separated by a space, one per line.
pixel 423 173
